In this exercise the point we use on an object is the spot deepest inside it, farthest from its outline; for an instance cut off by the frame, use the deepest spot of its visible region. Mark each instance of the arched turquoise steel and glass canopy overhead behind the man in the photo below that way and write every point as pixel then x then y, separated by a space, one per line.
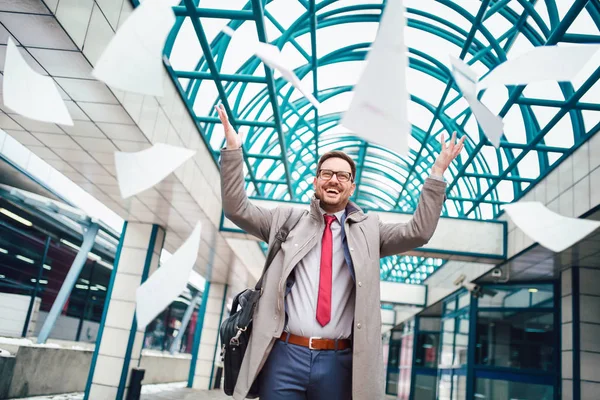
pixel 327 42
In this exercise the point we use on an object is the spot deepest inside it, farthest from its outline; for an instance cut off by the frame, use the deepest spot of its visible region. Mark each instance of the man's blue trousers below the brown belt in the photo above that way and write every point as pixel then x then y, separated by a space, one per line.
pixel 297 373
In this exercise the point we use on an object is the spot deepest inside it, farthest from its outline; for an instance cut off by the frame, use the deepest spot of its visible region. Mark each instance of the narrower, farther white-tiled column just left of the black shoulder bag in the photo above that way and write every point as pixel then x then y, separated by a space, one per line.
pixel 207 348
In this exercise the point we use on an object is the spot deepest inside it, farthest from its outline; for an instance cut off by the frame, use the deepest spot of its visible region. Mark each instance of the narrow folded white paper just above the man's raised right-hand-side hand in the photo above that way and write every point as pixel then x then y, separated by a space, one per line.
pixel 466 80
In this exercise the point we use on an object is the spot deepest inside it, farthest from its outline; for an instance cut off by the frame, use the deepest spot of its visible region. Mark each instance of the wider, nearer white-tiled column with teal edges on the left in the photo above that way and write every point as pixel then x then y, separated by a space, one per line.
pixel 119 343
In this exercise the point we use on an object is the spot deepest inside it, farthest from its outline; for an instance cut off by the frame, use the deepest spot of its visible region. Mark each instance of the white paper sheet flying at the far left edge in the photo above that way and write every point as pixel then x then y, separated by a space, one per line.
pixel 30 94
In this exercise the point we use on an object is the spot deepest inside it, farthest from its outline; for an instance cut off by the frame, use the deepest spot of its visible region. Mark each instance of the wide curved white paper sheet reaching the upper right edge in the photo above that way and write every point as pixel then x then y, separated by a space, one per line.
pixel 544 63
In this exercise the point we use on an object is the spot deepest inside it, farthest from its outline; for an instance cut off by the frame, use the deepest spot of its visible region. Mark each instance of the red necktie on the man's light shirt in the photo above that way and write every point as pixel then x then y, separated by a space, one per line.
pixel 324 300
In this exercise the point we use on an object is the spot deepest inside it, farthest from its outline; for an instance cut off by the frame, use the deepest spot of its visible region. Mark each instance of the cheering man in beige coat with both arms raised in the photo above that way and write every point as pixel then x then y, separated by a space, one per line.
pixel 317 328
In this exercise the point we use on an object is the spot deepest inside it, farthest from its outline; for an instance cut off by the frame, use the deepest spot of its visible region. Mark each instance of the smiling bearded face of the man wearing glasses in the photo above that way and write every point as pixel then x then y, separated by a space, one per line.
pixel 334 193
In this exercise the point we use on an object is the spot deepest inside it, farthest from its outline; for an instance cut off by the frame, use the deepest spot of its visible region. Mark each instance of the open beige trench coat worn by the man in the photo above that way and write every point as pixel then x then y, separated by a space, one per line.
pixel 368 240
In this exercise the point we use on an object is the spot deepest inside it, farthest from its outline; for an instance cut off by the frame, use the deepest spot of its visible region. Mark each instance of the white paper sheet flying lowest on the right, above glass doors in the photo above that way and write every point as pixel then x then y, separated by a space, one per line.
pixel 548 228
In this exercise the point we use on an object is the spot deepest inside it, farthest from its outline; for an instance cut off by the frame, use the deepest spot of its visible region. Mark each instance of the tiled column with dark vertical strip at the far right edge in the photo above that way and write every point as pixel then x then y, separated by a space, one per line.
pixel 580 333
